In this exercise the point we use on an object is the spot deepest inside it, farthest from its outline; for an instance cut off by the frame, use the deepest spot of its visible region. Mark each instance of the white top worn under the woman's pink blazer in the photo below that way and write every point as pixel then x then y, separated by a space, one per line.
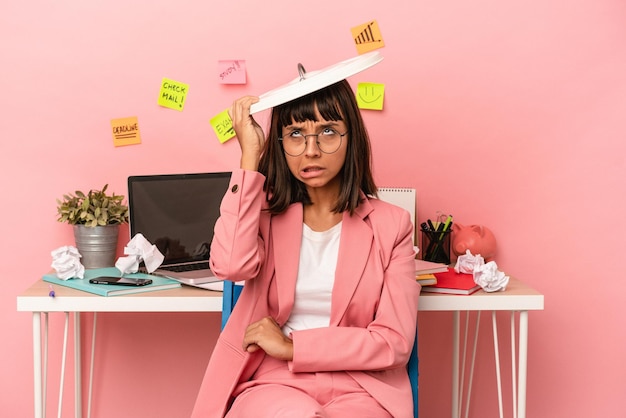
pixel 316 276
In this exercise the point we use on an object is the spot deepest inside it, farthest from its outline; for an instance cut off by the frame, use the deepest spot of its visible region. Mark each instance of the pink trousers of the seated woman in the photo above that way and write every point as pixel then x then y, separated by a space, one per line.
pixel 275 392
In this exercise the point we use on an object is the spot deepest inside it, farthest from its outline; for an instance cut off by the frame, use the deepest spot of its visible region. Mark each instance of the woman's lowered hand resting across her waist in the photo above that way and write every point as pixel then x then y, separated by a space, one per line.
pixel 267 336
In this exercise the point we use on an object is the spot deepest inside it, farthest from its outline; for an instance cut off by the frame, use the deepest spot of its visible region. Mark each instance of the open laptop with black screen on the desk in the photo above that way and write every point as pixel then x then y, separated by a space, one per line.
pixel 177 213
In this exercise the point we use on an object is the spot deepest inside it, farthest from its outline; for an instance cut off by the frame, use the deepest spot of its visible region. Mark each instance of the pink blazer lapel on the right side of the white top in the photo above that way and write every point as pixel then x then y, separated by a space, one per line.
pixel 354 249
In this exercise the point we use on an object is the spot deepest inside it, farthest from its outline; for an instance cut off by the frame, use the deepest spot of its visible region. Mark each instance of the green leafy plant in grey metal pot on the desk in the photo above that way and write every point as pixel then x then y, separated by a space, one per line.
pixel 96 218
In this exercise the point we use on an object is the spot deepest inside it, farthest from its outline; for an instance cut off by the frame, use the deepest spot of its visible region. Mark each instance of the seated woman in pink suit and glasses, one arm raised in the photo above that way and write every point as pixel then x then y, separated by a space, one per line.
pixel 325 324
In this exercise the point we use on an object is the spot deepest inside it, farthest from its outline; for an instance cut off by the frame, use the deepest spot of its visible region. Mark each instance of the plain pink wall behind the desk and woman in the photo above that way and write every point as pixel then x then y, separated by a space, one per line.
pixel 508 114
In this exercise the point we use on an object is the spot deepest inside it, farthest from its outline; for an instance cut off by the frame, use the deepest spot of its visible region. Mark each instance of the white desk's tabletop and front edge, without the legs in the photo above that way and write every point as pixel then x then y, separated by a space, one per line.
pixel 518 296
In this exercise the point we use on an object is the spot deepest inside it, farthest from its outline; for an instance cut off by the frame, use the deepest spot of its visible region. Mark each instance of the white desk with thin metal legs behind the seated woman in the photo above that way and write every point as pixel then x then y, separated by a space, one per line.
pixel 517 298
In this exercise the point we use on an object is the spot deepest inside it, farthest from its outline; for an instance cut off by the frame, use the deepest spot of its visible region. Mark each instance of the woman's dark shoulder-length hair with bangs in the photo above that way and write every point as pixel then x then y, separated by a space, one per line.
pixel 335 102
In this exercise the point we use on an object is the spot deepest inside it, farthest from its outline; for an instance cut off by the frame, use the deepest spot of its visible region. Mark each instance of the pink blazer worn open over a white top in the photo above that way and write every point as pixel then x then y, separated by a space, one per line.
pixel 374 299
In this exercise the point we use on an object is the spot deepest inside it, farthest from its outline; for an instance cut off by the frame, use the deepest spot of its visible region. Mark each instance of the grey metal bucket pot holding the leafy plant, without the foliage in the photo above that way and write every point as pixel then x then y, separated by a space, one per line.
pixel 97 245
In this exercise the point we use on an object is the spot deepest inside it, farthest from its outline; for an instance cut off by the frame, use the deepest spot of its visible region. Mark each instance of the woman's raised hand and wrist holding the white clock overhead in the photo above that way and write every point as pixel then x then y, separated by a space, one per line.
pixel 249 134
